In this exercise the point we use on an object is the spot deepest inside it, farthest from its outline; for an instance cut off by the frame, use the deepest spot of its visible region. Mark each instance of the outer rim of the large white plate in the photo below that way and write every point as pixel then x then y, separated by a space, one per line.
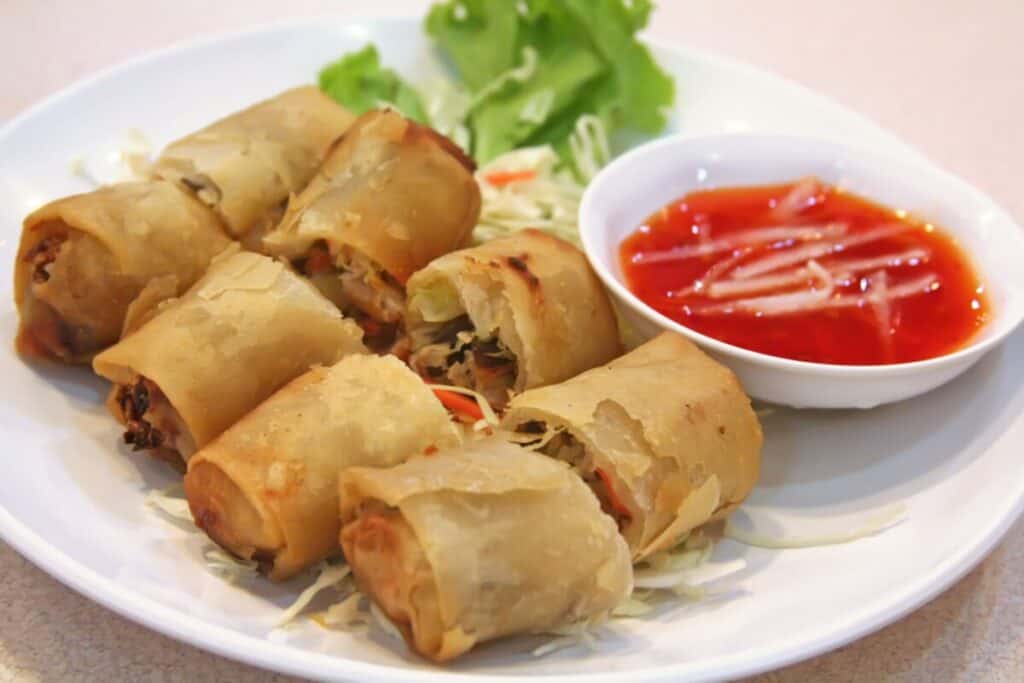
pixel 271 656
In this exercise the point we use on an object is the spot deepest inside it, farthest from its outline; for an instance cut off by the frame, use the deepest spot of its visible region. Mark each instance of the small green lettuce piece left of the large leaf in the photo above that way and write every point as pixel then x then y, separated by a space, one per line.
pixel 361 83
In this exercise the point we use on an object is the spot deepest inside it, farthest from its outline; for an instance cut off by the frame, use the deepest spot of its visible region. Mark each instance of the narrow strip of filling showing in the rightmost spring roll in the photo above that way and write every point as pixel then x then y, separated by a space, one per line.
pixel 563 446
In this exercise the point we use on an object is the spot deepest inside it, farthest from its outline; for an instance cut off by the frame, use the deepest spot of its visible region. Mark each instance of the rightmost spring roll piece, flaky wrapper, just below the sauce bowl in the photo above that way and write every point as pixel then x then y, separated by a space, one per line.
pixel 664 436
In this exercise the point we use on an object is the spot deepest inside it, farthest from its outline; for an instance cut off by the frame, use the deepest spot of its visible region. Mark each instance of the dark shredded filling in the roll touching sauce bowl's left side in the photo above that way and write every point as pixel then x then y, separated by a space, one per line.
pixel 457 355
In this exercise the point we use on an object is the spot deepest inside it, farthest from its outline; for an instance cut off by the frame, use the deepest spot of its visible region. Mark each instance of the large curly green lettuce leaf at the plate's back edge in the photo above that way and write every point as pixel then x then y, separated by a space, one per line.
pixel 588 62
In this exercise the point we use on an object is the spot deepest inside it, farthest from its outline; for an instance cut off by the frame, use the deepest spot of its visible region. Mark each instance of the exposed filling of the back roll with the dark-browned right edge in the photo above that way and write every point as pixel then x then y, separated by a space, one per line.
pixel 363 290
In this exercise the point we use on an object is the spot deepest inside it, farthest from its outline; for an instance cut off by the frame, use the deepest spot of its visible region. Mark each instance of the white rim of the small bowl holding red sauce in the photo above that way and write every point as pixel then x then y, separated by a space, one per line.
pixel 1000 325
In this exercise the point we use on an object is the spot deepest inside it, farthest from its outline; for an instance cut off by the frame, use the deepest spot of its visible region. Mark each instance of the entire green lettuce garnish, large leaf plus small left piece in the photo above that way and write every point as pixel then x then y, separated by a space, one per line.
pixel 530 71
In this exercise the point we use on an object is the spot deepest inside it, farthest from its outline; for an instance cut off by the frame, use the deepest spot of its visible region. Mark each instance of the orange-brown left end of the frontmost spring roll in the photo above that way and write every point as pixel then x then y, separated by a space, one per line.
pixel 392 567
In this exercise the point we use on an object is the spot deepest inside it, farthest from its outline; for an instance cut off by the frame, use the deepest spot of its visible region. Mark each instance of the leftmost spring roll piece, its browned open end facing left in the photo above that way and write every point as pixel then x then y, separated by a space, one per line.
pixel 83 260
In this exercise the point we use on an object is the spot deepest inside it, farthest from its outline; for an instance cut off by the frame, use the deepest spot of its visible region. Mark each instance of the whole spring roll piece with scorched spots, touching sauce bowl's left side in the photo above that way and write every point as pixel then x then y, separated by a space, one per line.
pixel 519 313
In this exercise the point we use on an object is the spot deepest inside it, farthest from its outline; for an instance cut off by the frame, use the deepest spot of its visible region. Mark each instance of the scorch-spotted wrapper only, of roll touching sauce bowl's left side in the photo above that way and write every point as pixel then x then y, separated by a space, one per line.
pixel 536 292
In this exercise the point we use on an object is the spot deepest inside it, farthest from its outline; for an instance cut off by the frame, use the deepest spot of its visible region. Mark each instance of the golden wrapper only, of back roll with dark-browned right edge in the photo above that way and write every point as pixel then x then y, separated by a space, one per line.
pixel 393 190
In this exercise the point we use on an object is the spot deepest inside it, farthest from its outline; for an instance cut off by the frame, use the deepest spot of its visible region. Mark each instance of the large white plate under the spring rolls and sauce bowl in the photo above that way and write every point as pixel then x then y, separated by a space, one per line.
pixel 73 502
